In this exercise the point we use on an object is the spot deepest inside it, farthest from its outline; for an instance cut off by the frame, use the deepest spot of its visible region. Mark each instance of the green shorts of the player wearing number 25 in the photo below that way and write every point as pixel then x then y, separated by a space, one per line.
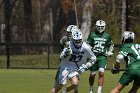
pixel 100 63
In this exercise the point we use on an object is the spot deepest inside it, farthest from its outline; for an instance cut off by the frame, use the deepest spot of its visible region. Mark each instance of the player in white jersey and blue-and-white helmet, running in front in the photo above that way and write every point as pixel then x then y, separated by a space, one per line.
pixel 74 60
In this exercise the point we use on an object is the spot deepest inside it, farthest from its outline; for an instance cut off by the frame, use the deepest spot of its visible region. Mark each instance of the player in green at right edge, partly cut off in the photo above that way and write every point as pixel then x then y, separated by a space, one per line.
pixel 130 52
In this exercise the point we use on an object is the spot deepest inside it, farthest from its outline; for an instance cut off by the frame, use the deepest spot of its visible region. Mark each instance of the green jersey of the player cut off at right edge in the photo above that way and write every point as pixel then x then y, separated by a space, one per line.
pixel 131 53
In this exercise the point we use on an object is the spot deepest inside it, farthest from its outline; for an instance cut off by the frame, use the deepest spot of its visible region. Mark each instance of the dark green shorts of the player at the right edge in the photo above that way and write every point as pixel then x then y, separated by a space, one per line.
pixel 130 75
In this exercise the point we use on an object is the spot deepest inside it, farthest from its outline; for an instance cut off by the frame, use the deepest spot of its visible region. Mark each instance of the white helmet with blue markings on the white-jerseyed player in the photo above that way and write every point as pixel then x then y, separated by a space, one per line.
pixel 77 38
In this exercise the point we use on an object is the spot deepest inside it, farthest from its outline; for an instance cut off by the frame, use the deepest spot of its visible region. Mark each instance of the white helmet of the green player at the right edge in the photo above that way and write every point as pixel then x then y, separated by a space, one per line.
pixel 127 37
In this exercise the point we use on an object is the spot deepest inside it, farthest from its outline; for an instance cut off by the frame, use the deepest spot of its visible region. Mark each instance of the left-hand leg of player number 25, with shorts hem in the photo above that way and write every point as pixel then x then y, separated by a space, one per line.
pixel 93 70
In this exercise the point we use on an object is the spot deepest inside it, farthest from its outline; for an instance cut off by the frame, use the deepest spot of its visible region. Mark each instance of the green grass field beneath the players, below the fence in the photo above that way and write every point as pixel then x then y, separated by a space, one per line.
pixel 41 81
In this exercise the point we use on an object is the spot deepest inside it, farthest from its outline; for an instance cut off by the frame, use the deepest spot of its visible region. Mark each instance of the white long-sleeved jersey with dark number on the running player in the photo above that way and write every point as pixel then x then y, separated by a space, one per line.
pixel 78 56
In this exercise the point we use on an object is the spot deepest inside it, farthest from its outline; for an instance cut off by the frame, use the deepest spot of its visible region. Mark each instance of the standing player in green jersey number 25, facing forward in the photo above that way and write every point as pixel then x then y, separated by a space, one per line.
pixel 102 46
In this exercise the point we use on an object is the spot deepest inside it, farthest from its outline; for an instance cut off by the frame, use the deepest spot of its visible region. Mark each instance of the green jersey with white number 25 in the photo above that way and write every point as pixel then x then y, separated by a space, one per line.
pixel 99 42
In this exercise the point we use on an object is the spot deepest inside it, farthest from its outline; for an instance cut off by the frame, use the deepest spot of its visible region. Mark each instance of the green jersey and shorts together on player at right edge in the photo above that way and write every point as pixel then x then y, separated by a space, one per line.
pixel 131 53
